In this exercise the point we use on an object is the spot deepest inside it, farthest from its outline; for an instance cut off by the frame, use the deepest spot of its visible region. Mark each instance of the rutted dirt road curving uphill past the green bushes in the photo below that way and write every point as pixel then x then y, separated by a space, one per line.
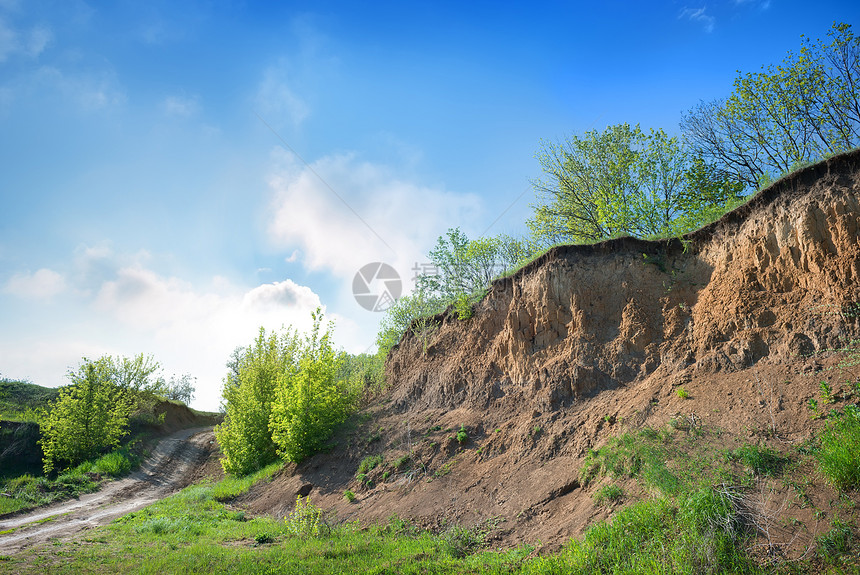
pixel 170 467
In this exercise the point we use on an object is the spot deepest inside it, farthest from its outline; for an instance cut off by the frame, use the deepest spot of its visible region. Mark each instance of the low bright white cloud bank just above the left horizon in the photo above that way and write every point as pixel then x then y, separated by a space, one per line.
pixel 119 304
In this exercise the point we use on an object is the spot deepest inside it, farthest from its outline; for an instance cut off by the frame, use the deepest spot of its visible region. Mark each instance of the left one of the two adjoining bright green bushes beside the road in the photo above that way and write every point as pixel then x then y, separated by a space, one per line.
pixel 244 436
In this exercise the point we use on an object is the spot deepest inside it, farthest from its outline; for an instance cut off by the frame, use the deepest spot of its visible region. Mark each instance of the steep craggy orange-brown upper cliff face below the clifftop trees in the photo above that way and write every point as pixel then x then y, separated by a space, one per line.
pixel 773 280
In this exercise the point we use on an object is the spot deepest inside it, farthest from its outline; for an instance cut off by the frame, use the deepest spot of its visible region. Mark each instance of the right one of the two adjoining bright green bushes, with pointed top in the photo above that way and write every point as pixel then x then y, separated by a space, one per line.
pixel 311 400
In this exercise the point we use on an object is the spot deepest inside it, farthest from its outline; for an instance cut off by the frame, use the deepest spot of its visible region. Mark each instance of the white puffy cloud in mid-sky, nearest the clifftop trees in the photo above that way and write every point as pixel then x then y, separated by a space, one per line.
pixel 361 213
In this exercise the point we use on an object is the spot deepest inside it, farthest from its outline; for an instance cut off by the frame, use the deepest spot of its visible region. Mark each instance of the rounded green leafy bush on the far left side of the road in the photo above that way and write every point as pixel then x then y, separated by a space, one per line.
pixel 89 416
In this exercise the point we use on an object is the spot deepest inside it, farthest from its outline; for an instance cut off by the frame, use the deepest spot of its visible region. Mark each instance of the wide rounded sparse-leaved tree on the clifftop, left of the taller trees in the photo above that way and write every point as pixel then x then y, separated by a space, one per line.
pixel 622 181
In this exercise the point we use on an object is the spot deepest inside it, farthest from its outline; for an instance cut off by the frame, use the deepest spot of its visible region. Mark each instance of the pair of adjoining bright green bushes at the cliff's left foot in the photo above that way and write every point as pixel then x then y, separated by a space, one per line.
pixel 285 396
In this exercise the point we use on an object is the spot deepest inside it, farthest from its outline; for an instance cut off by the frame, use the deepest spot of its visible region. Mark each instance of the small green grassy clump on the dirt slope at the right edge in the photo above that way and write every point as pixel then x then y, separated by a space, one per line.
pixel 839 456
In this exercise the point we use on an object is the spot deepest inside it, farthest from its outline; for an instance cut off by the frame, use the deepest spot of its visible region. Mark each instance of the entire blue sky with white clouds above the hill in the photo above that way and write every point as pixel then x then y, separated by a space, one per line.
pixel 175 175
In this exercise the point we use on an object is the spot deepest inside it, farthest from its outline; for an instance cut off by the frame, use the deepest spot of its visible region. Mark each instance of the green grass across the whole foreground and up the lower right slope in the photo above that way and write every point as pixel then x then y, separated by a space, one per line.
pixel 699 515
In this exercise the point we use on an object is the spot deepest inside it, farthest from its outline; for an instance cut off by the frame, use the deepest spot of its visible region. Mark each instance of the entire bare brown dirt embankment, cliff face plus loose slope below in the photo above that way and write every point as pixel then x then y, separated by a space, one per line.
pixel 589 340
